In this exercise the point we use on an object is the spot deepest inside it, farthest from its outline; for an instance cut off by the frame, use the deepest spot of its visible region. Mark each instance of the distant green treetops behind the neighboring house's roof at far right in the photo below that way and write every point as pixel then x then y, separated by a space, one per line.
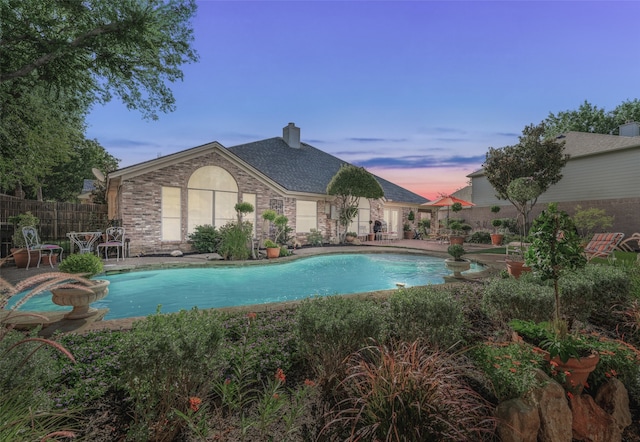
pixel 590 118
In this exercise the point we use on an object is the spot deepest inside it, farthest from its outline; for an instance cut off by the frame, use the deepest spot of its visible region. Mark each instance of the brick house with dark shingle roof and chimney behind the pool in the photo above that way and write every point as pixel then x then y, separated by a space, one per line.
pixel 161 201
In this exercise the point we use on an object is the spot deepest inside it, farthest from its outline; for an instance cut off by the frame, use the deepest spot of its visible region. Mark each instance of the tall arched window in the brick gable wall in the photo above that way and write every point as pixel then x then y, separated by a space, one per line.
pixel 213 194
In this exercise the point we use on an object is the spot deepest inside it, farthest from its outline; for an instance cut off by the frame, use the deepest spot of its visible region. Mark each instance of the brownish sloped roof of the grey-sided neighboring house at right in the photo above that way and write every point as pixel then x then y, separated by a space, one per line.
pixel 582 144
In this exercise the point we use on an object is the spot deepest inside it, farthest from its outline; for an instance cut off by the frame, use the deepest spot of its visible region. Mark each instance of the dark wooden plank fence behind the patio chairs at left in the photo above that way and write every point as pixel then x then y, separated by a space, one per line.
pixel 56 219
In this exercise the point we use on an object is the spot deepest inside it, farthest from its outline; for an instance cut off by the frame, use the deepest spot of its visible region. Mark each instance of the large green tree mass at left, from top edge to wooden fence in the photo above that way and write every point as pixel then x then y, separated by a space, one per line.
pixel 58 58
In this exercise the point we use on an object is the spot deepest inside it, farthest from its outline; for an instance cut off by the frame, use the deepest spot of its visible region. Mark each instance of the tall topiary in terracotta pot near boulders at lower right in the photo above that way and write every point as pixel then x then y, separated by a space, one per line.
pixel 555 249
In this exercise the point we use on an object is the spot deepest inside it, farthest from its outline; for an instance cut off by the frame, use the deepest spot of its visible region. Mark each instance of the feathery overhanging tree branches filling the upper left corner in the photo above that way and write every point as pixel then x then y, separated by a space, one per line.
pixel 95 48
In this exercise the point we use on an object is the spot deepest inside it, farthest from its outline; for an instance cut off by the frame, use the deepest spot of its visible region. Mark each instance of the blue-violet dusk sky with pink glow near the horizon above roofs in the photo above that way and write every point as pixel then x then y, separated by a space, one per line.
pixel 414 91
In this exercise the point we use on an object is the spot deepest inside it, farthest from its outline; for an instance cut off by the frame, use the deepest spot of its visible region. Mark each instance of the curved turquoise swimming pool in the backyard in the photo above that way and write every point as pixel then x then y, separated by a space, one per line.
pixel 139 293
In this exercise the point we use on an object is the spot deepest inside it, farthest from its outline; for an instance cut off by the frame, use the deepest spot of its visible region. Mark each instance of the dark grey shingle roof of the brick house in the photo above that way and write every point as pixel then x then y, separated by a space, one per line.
pixel 306 169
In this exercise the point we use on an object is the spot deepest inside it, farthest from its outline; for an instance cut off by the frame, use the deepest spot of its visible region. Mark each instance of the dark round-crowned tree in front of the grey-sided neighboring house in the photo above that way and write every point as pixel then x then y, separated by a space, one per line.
pixel 538 159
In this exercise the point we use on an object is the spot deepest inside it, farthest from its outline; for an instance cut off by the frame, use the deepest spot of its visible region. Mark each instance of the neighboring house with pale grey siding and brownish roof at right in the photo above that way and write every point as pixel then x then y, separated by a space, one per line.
pixel 603 172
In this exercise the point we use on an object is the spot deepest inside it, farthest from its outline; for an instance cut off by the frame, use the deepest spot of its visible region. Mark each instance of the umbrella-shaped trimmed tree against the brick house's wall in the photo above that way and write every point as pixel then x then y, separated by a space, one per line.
pixel 350 184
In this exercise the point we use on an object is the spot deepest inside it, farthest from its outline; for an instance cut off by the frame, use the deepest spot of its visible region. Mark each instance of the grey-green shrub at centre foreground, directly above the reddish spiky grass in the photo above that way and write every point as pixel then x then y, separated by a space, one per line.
pixel 330 328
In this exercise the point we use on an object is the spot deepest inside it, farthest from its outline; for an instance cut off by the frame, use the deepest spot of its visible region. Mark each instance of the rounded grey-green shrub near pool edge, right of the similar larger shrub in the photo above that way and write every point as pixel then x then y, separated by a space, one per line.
pixel 428 313
